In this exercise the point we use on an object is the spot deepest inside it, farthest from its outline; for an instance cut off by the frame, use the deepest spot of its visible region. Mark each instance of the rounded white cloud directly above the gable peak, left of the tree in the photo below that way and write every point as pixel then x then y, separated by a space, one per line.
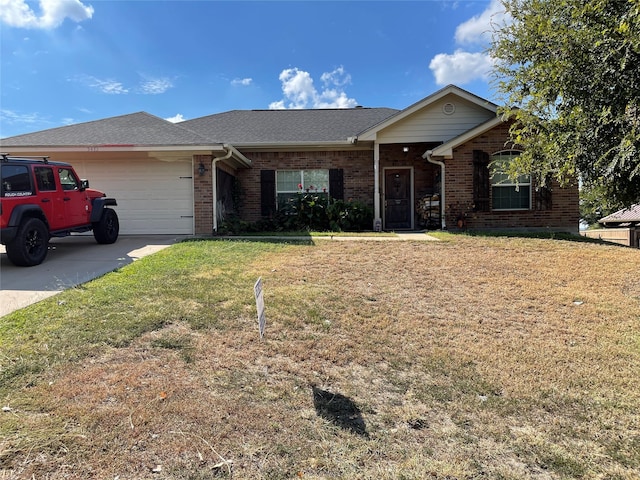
pixel 460 67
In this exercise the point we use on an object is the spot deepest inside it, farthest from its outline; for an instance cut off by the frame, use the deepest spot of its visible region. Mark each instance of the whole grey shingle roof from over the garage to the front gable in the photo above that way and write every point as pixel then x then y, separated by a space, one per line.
pixel 236 127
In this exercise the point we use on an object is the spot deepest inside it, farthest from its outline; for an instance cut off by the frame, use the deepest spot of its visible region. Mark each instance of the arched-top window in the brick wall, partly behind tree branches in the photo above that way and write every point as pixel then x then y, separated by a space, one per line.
pixel 507 194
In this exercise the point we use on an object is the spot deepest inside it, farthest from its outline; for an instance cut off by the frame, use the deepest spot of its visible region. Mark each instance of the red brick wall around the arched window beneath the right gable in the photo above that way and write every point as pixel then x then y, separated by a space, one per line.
pixel 563 215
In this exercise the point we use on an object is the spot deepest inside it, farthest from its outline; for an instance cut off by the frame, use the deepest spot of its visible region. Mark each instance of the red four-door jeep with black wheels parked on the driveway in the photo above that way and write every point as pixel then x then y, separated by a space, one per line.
pixel 40 199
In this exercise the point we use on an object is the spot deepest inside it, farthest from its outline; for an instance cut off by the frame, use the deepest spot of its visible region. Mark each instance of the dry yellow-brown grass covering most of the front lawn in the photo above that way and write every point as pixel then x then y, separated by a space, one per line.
pixel 479 358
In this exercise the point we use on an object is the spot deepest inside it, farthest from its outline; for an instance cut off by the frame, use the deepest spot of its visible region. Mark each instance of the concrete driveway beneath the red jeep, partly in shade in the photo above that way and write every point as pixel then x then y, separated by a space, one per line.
pixel 71 261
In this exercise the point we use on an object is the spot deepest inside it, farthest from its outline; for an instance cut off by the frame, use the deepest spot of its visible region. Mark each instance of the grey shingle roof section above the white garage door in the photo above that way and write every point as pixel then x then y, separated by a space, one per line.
pixel 126 130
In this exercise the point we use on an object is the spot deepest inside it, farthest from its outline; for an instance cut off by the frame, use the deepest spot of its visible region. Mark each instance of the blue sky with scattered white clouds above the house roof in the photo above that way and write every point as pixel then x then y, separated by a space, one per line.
pixel 72 61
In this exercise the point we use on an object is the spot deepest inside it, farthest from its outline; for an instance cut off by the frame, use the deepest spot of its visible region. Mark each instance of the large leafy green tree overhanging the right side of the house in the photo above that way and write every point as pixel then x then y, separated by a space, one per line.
pixel 569 71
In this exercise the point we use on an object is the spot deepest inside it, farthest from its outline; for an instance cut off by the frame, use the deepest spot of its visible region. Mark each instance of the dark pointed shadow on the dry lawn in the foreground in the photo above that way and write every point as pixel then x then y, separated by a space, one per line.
pixel 339 410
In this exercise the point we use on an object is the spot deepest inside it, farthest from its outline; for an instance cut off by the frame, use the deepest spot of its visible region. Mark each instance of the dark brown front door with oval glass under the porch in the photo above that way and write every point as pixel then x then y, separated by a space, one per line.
pixel 397 204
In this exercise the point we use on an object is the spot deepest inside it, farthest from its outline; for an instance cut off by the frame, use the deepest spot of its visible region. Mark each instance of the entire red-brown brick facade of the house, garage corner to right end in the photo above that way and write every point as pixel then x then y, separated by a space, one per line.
pixel 561 215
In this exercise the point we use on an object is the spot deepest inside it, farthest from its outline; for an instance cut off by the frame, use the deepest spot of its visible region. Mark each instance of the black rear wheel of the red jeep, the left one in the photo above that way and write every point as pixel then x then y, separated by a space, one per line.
pixel 30 245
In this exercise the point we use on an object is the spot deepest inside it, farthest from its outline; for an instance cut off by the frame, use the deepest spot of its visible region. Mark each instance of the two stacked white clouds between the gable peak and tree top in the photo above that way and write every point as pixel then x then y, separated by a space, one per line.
pixel 464 66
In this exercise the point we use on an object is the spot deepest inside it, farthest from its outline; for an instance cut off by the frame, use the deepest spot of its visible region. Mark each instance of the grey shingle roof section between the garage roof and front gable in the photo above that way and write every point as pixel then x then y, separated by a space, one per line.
pixel 262 127
